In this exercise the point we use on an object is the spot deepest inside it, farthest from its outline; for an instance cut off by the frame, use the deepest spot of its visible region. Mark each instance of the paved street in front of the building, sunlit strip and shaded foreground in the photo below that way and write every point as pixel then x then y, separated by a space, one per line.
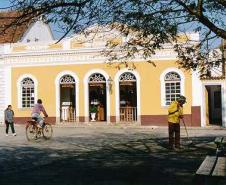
pixel 103 155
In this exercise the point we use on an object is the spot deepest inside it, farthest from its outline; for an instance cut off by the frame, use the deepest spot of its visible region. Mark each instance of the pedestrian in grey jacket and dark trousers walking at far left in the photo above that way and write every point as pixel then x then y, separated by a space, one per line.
pixel 9 120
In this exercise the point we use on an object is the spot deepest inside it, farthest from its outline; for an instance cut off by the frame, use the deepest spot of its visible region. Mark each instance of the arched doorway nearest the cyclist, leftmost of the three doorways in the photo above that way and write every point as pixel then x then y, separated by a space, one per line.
pixel 67 99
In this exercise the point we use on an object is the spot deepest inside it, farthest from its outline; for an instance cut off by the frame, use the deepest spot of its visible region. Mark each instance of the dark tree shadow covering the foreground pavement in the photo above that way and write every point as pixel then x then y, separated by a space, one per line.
pixel 137 162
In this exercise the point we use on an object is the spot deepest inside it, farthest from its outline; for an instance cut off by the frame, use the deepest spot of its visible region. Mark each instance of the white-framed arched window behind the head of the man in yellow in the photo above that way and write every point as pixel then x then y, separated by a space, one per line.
pixel 172 81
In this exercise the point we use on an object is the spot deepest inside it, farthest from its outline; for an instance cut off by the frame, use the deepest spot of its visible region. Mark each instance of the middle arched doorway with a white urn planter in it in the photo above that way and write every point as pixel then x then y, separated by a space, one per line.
pixel 97 97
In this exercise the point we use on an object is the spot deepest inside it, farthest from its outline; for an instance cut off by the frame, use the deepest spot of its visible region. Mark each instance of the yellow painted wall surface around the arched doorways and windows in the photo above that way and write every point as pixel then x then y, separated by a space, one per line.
pixel 149 76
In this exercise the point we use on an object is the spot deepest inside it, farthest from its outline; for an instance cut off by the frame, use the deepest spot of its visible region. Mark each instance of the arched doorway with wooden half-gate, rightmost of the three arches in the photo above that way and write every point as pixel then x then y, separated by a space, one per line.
pixel 128 97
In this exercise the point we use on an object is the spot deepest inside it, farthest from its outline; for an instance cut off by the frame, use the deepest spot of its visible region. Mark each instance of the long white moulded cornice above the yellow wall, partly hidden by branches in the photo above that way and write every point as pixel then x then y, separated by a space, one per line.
pixel 75 56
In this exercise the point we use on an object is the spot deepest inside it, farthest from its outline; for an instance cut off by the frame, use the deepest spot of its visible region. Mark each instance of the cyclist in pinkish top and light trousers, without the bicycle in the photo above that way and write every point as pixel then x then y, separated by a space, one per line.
pixel 36 113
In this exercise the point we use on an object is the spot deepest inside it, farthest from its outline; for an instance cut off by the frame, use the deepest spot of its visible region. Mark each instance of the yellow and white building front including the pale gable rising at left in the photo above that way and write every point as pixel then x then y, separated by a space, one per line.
pixel 71 77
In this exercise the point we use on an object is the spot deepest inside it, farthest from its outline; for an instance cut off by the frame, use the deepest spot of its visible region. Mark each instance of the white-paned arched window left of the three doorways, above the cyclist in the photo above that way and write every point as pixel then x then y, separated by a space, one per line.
pixel 27 93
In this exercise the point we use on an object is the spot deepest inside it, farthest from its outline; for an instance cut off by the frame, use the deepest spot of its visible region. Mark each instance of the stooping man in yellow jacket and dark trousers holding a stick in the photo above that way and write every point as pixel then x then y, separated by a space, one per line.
pixel 175 113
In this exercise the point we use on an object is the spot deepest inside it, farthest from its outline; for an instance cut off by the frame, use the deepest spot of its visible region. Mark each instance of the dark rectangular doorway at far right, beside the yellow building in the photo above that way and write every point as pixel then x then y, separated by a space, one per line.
pixel 213 104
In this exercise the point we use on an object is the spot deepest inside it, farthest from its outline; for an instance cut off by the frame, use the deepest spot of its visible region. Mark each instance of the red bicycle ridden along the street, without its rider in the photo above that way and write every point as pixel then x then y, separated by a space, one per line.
pixel 33 132
